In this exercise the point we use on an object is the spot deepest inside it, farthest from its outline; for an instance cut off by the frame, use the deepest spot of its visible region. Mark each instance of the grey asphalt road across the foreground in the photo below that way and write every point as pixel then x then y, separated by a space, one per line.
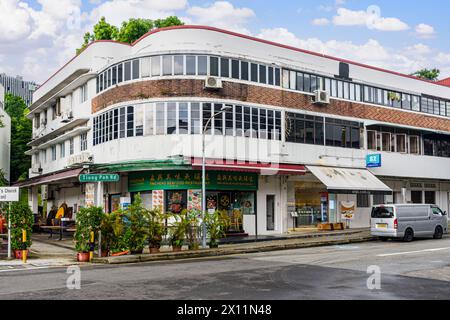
pixel 417 270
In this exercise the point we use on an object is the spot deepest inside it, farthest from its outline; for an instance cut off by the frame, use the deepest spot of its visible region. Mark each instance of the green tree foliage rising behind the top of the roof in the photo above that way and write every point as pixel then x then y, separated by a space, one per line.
pixel 129 31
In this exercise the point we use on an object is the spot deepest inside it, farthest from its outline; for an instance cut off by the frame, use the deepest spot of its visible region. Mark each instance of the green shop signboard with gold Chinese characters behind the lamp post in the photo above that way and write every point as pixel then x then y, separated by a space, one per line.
pixel 181 180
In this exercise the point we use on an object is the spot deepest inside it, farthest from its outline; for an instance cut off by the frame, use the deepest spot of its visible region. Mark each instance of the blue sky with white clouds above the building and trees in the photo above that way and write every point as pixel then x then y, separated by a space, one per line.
pixel 38 36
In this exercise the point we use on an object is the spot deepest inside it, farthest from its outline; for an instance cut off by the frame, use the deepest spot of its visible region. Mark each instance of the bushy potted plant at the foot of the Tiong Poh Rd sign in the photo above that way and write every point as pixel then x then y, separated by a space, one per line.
pixel 88 220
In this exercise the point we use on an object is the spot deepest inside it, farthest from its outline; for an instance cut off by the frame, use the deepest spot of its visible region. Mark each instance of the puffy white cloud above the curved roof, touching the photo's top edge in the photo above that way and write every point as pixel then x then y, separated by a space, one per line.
pixel 222 14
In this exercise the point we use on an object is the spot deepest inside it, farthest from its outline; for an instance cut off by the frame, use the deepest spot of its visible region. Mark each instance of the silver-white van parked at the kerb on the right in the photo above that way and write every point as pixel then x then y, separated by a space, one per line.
pixel 407 221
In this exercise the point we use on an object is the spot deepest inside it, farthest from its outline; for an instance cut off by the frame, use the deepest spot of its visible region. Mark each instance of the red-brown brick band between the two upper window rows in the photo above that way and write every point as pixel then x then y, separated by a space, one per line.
pixel 262 95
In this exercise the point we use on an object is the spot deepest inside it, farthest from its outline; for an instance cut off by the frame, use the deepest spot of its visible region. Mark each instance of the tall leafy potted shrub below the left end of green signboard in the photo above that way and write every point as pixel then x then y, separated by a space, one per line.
pixel 137 226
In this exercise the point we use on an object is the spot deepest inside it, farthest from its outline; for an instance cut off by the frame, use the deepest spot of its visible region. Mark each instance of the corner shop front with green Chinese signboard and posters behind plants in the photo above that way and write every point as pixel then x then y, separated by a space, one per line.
pixel 231 193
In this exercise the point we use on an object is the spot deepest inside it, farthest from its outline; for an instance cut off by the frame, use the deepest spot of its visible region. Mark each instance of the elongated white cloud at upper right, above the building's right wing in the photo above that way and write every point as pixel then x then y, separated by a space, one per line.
pixel 370 18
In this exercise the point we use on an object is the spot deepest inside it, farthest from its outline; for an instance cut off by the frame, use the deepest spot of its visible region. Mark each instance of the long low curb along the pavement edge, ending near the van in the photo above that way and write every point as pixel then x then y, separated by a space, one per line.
pixel 168 256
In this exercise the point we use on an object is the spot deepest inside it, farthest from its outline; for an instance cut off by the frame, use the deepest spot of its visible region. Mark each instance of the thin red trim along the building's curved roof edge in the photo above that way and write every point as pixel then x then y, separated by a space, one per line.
pixel 257 40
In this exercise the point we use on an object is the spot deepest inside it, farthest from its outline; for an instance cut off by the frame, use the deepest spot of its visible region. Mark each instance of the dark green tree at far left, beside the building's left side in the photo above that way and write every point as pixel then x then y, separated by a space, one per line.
pixel 21 131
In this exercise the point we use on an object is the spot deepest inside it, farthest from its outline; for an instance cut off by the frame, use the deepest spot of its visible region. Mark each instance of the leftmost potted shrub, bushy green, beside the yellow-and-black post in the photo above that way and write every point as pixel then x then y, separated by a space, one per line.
pixel 21 219
